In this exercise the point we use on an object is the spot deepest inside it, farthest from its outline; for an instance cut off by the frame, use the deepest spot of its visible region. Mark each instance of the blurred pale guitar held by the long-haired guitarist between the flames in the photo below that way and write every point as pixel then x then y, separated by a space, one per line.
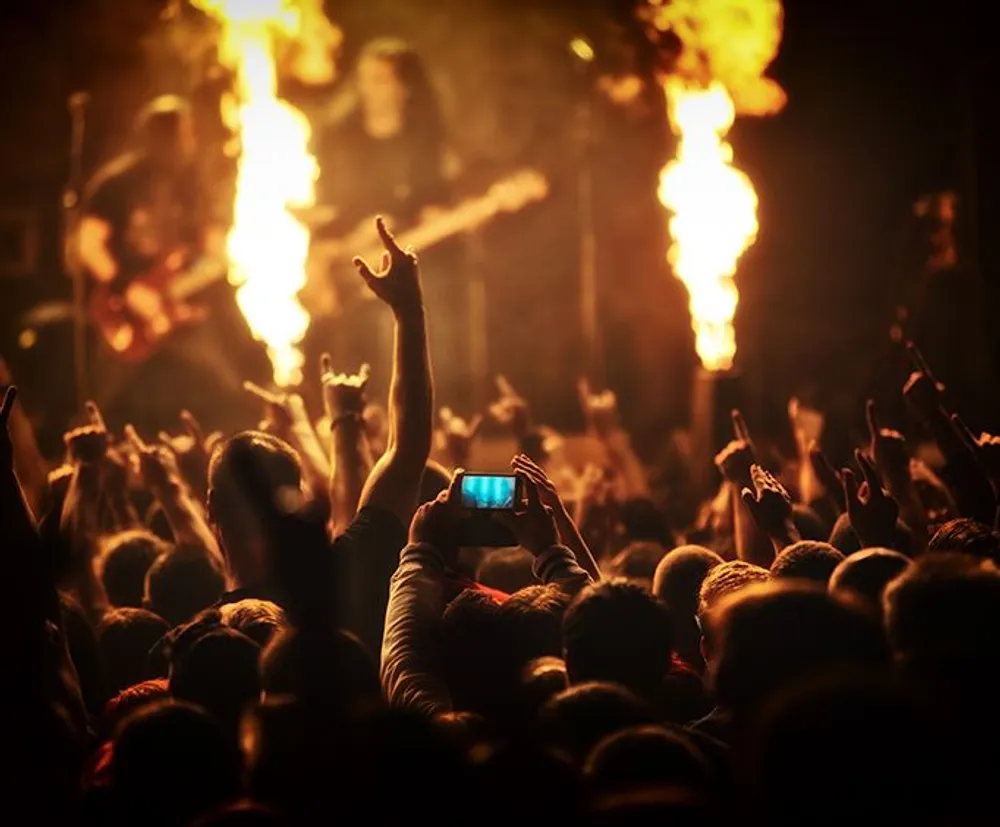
pixel 327 294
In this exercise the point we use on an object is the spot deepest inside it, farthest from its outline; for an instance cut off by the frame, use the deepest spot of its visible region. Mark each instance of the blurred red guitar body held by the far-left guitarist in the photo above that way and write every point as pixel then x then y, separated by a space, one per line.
pixel 134 323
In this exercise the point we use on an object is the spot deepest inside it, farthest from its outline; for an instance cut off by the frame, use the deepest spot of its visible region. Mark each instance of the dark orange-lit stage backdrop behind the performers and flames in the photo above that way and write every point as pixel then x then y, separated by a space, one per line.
pixel 887 101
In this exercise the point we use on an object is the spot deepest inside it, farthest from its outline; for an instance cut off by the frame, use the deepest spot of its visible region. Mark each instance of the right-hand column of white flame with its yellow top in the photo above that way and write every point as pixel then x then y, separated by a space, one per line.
pixel 726 46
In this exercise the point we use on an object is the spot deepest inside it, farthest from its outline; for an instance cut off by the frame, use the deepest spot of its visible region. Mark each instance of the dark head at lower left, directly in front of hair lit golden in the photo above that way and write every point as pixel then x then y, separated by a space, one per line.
pixel 218 672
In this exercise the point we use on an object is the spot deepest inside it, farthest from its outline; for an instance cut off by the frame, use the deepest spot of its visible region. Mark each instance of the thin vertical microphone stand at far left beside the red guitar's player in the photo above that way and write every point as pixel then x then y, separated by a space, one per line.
pixel 71 215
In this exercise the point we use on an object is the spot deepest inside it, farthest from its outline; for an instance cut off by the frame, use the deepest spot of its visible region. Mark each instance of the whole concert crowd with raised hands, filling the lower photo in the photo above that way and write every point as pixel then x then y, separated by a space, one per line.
pixel 290 625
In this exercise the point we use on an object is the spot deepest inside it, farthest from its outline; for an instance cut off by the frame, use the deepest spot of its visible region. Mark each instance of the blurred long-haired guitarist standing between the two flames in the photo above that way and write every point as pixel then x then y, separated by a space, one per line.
pixel 386 154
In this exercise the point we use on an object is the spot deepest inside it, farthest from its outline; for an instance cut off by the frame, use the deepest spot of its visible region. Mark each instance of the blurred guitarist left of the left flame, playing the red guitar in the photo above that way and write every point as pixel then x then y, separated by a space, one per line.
pixel 148 209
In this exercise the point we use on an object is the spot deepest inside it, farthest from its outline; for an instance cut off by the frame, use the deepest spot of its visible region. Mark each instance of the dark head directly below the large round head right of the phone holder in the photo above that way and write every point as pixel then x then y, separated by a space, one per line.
pixel 581 717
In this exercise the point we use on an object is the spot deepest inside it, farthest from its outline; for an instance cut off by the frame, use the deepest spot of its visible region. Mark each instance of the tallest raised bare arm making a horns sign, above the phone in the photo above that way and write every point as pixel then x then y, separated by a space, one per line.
pixel 395 479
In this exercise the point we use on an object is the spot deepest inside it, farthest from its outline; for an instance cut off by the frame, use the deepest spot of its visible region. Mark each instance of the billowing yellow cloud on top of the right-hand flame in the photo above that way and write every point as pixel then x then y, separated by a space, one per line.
pixel 732 42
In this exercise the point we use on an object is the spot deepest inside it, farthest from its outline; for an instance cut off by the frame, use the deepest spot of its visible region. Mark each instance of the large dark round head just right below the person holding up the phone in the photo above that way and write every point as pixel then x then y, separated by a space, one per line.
pixel 618 632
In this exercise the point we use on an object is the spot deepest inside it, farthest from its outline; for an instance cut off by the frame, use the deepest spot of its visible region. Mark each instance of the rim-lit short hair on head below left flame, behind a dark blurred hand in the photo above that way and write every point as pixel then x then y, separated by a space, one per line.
pixel 229 498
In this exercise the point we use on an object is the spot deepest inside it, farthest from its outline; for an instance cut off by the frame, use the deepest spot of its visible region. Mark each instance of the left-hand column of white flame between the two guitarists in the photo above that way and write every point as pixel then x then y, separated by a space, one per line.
pixel 267 246
